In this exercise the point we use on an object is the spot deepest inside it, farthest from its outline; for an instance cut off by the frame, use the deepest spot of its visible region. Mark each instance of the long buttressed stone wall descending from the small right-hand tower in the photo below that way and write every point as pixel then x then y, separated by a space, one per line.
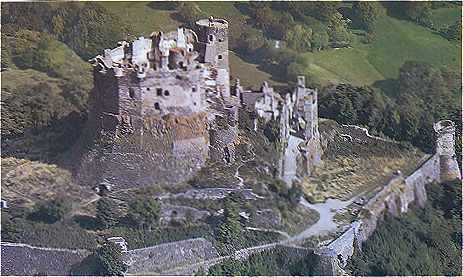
pixel 394 199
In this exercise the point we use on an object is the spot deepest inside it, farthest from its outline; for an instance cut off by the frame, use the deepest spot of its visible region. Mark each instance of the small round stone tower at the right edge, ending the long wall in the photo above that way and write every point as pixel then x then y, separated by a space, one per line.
pixel 445 148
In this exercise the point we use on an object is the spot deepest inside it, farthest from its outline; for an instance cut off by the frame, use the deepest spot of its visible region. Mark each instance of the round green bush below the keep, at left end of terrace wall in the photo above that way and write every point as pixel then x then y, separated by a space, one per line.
pixel 144 212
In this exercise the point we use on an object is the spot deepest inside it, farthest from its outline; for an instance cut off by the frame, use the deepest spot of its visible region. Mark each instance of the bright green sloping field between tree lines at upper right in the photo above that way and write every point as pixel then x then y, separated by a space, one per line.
pixel 397 41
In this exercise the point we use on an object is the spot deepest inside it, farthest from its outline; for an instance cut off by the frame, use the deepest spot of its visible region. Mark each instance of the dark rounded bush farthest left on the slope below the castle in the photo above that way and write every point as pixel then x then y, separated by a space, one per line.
pixel 53 210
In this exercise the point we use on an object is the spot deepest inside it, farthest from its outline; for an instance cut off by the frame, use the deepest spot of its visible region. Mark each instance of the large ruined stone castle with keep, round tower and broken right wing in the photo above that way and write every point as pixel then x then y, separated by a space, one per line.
pixel 167 100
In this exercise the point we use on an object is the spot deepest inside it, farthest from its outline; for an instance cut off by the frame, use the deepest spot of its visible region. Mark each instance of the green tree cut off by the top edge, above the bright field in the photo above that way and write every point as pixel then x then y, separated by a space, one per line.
pixel 366 14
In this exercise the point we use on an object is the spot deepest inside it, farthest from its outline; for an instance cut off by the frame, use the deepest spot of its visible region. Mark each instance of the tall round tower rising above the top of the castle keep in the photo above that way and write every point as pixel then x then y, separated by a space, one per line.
pixel 213 41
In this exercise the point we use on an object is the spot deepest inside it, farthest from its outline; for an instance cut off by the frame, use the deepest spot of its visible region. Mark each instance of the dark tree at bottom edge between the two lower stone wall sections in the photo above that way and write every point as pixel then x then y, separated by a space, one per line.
pixel 110 261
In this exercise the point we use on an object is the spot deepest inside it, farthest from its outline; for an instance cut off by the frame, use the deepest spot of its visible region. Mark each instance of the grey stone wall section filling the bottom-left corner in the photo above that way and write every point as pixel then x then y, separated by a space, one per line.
pixel 21 259
